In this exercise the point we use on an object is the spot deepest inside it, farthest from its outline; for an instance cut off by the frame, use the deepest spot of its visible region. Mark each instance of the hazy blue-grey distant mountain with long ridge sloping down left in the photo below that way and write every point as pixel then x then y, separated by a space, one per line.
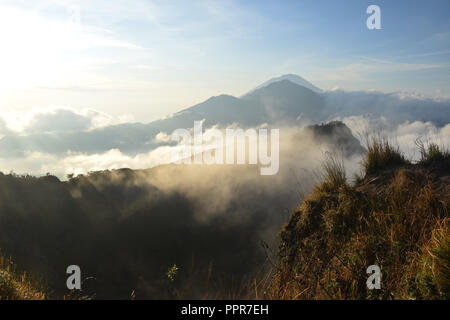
pixel 222 110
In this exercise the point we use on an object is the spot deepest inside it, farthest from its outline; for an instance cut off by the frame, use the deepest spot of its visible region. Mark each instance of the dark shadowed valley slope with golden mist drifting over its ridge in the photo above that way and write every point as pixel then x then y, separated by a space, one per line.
pixel 125 228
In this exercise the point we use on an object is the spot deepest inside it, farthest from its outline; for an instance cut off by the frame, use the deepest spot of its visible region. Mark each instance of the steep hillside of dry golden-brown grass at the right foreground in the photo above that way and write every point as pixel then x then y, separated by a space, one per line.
pixel 395 216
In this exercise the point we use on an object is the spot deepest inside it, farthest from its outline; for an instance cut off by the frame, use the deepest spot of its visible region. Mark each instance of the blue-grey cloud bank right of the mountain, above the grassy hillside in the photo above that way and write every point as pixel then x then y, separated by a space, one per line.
pixel 403 117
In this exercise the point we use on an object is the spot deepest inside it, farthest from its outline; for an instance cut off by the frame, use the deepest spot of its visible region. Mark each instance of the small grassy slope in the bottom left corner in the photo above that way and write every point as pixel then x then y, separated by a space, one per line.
pixel 15 286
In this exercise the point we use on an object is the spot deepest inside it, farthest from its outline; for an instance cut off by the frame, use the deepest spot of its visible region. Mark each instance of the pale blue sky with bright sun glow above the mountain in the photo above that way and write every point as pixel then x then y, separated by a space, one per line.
pixel 140 60
